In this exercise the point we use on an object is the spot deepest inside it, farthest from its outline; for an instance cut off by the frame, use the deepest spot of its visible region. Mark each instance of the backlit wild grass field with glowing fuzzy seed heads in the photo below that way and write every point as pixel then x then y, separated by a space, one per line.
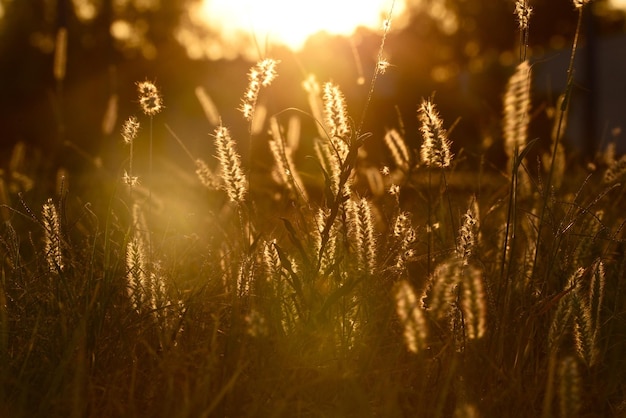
pixel 398 285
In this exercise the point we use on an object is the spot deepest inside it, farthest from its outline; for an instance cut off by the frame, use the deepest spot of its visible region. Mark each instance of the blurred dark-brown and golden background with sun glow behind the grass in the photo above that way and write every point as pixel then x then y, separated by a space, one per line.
pixel 463 51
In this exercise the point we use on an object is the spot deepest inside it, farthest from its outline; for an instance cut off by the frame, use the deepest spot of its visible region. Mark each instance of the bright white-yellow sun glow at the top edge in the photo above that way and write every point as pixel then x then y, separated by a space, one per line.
pixel 290 22
